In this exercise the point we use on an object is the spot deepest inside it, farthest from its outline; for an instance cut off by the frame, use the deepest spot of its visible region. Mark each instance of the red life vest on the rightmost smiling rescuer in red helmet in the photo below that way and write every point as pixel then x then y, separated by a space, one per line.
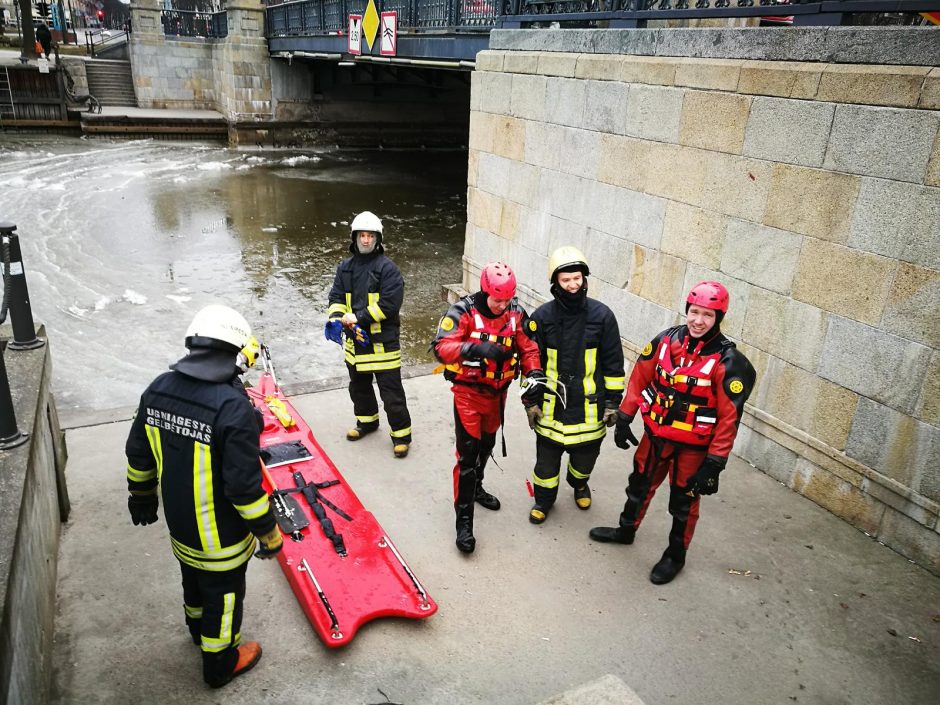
pixel 680 403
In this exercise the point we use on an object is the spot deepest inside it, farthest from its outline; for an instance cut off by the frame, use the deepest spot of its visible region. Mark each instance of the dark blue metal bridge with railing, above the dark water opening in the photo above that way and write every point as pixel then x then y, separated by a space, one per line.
pixel 450 33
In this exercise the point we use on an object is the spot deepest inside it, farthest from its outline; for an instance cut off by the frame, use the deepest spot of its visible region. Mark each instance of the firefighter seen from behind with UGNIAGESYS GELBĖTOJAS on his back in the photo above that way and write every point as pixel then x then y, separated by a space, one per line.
pixel 195 437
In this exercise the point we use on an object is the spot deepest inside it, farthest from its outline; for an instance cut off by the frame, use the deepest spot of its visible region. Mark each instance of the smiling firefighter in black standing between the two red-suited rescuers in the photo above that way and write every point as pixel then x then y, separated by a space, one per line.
pixel 579 343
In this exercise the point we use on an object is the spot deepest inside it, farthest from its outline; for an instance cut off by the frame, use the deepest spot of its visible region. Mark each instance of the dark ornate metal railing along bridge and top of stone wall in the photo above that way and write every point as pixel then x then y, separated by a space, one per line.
pixel 311 17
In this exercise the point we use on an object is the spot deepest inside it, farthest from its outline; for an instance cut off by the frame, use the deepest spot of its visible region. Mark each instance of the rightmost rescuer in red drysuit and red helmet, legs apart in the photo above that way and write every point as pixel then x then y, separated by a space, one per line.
pixel 690 384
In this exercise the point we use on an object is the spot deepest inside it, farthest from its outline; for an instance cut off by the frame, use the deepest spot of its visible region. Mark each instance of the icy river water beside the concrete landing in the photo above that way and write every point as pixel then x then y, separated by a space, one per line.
pixel 124 241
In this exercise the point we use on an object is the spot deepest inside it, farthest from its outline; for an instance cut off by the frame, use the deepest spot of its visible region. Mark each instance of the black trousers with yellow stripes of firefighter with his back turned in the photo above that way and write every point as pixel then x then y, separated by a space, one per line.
pixel 213 603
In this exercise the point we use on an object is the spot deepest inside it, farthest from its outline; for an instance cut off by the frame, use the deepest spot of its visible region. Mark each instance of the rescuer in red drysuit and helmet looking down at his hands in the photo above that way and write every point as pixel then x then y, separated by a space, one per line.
pixel 483 341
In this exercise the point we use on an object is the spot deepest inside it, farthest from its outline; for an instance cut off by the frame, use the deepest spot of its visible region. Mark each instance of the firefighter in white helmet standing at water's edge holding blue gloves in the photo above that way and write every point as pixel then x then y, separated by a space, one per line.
pixel 368 293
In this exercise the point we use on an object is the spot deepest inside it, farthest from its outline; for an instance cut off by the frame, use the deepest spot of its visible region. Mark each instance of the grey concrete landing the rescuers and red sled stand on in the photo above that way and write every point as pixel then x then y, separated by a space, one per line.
pixel 780 601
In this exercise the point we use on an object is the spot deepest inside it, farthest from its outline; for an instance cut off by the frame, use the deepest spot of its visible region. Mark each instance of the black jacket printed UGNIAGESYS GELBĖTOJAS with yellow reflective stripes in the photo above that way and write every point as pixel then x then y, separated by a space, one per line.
pixel 199 441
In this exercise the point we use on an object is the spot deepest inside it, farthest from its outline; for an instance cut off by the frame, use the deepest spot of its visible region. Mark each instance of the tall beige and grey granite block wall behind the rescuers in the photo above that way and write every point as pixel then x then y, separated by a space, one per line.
pixel 807 182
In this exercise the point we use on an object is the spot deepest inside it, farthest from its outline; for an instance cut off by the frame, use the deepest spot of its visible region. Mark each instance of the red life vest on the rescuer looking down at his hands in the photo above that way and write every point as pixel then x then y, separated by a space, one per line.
pixel 500 330
